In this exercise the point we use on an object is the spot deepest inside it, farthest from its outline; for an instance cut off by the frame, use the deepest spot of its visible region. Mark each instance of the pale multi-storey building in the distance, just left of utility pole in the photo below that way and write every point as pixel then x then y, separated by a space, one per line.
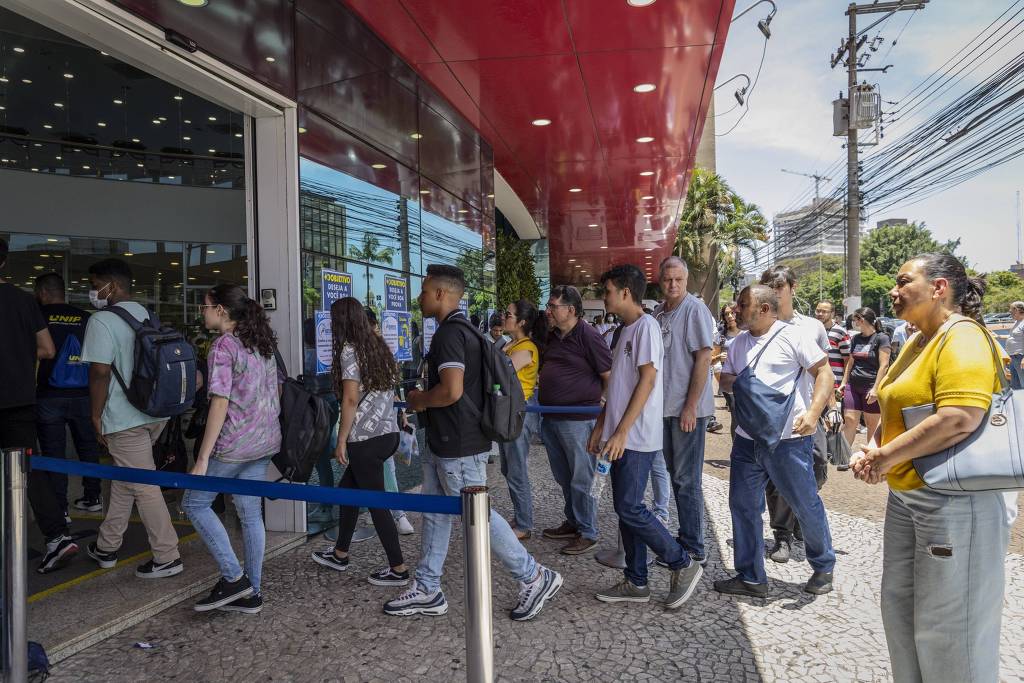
pixel 820 227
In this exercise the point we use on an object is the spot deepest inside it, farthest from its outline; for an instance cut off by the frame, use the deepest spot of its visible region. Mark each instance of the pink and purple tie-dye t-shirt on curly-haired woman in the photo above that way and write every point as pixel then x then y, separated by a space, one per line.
pixel 252 430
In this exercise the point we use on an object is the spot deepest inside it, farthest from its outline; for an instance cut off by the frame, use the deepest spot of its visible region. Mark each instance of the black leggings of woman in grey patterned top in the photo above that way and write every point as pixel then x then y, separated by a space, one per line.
pixel 366 472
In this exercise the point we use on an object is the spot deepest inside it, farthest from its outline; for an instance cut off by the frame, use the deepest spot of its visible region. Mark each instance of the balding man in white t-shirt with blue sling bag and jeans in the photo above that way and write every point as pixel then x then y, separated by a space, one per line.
pixel 781 381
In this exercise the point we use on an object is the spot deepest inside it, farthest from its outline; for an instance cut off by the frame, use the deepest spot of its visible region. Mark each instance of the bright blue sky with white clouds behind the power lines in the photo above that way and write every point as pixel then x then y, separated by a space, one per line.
pixel 789 124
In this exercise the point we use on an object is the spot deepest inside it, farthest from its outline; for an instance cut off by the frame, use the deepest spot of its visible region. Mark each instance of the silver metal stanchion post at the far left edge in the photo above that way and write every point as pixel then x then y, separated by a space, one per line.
pixel 16 564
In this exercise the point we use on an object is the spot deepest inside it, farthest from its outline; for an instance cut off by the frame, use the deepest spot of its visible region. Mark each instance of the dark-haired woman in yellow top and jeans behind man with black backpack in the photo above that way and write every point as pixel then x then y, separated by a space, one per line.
pixel 528 328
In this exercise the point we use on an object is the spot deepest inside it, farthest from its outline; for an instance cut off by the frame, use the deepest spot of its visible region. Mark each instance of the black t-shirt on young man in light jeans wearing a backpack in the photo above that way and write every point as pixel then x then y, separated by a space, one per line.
pixel 455 432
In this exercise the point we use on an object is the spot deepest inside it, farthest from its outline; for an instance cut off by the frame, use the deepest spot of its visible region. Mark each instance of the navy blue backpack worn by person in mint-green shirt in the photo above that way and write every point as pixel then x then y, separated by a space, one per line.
pixel 163 382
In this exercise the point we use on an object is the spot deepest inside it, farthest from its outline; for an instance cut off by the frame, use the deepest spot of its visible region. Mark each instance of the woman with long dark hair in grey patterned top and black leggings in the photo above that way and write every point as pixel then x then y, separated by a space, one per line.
pixel 365 375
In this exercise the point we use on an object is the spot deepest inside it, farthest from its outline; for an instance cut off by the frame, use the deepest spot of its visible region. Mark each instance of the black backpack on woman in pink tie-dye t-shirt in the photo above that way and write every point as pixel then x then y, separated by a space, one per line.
pixel 306 430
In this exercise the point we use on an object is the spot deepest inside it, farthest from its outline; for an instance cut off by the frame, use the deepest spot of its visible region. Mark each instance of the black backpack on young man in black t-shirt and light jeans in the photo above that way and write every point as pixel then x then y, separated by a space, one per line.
pixel 504 408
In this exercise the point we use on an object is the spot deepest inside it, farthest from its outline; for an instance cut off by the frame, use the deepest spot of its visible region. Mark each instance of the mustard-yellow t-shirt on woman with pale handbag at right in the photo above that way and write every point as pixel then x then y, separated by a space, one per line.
pixel 961 373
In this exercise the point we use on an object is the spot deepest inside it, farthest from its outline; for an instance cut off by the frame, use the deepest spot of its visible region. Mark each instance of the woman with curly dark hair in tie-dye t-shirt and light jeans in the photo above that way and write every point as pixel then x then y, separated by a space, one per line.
pixel 242 434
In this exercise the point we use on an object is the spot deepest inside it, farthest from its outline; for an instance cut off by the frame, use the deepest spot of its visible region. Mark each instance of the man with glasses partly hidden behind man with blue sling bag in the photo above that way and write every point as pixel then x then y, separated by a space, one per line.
pixel 783 280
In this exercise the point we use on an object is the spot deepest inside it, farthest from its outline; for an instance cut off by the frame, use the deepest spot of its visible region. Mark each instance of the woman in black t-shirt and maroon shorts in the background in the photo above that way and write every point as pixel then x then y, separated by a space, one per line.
pixel 871 351
